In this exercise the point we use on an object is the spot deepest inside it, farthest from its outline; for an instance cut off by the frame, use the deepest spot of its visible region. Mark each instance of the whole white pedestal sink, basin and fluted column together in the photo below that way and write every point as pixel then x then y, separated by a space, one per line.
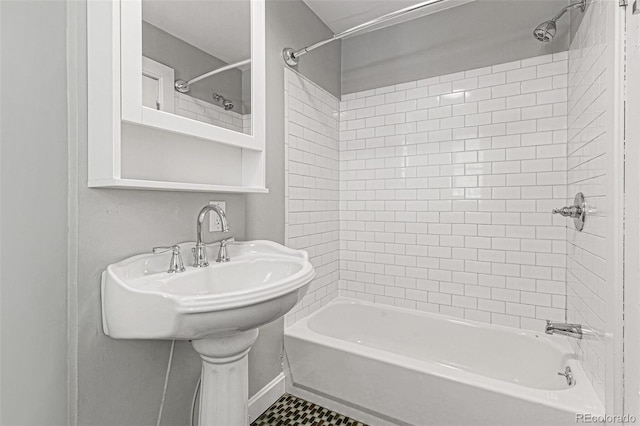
pixel 219 307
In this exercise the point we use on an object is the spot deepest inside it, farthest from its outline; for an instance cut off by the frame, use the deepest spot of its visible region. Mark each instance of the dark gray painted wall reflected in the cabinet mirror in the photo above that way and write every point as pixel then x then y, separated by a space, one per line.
pixel 188 62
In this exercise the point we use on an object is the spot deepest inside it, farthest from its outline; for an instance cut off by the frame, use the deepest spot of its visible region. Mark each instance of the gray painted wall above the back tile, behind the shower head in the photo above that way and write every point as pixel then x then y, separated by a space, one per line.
pixel 474 35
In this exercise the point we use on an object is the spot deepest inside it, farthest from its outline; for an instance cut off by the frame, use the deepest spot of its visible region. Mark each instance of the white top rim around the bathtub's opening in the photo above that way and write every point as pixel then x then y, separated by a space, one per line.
pixel 580 398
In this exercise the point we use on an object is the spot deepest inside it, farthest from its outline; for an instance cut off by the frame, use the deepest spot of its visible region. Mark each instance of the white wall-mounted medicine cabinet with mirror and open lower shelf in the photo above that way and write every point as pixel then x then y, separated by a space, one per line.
pixel 177 94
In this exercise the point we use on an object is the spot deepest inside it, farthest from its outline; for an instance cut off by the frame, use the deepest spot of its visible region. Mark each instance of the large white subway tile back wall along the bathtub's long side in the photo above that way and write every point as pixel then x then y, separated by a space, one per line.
pixel 446 191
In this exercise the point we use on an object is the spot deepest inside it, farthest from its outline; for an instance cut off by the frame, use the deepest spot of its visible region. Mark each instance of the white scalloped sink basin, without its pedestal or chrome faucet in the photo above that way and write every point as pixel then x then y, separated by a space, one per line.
pixel 262 282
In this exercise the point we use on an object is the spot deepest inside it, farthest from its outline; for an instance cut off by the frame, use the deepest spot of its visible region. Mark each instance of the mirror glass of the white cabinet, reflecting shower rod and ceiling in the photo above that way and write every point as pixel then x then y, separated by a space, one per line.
pixel 197 53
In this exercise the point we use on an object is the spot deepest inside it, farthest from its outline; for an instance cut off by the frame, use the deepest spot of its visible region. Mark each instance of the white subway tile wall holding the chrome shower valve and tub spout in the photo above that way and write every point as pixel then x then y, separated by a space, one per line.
pixel 589 149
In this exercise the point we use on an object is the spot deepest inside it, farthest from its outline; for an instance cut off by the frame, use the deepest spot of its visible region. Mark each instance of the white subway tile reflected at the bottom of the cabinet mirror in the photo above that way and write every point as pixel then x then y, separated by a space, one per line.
pixel 197 109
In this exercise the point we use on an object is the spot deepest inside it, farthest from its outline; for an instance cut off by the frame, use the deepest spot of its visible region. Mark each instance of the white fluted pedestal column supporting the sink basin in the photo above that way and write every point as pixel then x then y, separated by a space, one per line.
pixel 225 381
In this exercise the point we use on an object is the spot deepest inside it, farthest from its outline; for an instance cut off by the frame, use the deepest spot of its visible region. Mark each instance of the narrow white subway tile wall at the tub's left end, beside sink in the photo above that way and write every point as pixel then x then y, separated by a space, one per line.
pixel 312 188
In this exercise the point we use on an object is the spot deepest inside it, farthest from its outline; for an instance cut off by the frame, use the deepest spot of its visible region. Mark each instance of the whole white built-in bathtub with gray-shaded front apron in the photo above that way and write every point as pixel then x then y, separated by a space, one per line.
pixel 395 366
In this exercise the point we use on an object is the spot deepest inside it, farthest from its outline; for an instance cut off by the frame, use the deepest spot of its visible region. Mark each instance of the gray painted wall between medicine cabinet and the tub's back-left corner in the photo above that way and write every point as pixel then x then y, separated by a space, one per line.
pixel 289 23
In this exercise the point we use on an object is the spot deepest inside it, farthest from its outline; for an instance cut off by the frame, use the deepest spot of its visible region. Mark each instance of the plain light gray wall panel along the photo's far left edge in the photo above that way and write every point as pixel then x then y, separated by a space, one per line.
pixel 33 279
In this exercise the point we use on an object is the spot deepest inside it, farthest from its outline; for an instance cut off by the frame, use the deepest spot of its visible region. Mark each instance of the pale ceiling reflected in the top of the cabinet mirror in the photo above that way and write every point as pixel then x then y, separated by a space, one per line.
pixel 221 27
